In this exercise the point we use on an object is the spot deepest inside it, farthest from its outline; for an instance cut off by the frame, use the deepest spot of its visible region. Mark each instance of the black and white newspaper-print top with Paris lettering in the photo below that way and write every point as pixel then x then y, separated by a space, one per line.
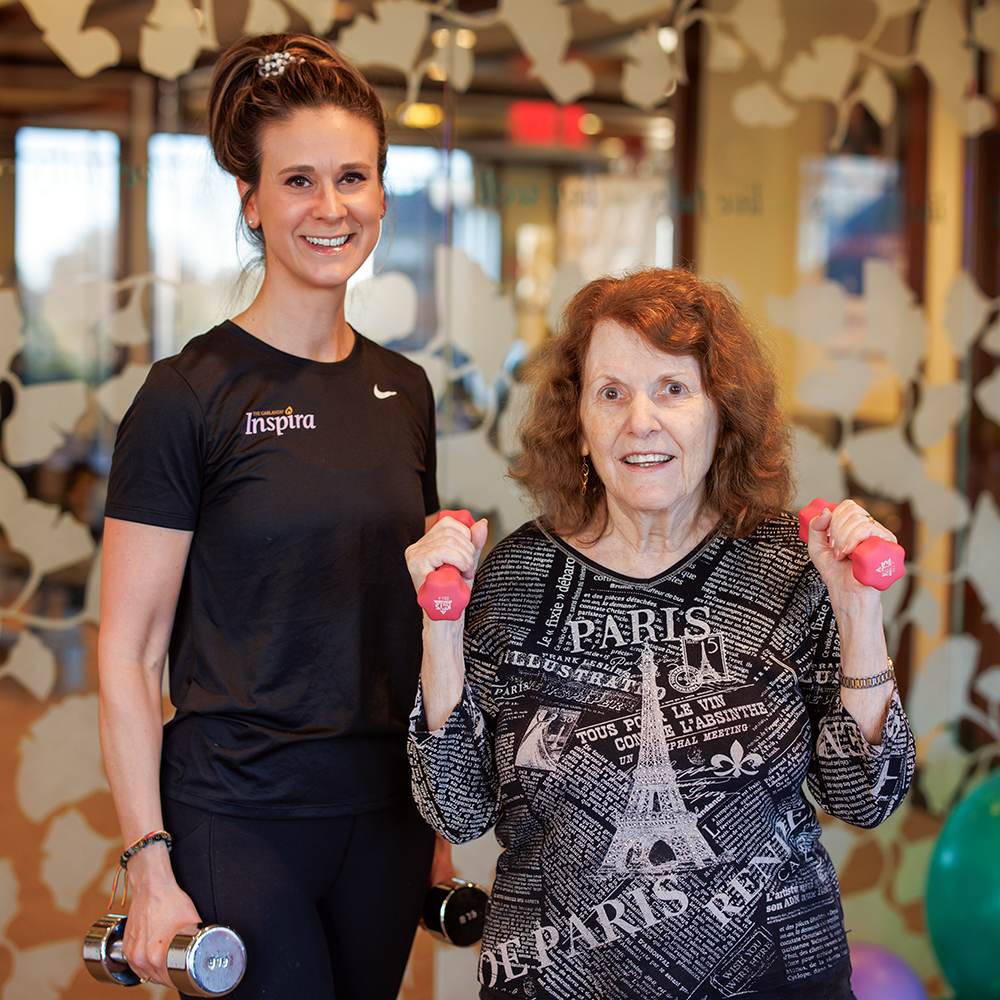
pixel 642 747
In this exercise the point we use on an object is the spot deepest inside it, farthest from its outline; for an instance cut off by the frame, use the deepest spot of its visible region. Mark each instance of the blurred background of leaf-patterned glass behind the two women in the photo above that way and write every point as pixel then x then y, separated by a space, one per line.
pixel 833 161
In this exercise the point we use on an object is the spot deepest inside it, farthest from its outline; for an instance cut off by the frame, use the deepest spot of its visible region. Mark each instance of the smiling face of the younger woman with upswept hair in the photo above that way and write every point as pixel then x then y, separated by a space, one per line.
pixel 320 201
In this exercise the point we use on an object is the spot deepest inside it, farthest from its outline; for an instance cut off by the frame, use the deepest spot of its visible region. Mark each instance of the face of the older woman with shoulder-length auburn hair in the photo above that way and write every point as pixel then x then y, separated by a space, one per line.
pixel 648 425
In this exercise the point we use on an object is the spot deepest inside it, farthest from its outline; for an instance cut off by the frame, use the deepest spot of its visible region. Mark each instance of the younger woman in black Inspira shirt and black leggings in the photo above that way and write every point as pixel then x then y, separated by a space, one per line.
pixel 266 482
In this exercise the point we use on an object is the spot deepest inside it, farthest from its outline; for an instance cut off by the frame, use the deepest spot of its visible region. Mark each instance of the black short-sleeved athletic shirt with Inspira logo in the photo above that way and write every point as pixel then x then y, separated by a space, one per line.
pixel 296 647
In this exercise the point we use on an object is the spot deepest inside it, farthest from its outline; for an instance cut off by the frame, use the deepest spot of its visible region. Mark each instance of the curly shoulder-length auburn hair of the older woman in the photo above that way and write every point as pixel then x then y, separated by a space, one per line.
pixel 675 312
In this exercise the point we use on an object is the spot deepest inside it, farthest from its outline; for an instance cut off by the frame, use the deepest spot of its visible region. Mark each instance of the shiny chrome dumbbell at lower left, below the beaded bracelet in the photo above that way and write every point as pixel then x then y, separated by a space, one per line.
pixel 206 963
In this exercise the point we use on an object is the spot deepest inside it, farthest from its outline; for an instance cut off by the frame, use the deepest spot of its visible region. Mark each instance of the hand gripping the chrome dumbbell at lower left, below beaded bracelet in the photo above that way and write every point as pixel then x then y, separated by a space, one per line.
pixel 160 910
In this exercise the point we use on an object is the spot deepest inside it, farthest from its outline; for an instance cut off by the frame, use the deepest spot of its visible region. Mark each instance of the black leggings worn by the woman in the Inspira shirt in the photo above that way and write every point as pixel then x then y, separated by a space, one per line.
pixel 327 907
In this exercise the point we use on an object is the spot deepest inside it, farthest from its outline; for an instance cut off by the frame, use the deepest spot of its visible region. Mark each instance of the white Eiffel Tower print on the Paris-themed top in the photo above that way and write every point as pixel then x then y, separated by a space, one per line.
pixel 657 833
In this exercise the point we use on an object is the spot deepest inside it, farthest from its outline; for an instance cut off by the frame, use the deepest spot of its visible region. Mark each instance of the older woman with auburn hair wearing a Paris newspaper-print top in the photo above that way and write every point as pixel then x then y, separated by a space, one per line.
pixel 652 668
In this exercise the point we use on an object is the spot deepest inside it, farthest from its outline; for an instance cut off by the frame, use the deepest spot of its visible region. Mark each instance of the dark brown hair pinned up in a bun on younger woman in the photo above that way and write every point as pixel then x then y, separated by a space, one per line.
pixel 241 102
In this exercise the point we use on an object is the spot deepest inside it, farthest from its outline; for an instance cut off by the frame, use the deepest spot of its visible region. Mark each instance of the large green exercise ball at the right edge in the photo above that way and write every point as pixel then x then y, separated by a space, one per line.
pixel 963 894
